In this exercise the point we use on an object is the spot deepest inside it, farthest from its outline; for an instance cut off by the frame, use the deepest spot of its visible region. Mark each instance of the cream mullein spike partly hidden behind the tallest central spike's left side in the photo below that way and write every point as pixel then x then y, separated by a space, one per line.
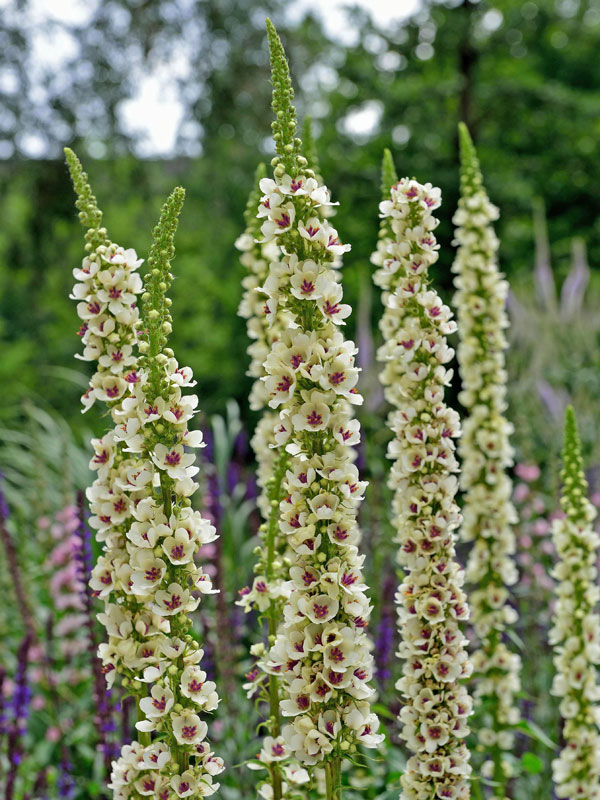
pixel 270 588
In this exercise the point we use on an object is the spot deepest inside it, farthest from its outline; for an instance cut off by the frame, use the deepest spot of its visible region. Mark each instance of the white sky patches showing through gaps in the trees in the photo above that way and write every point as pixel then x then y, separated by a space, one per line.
pixel 154 113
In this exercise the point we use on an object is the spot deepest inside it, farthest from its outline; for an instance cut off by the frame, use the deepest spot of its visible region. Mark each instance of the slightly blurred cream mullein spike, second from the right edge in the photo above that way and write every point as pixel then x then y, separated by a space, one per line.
pixel 486 453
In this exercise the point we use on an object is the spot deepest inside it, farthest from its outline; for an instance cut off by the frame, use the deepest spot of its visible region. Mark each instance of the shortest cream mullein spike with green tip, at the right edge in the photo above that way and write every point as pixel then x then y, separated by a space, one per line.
pixel 575 633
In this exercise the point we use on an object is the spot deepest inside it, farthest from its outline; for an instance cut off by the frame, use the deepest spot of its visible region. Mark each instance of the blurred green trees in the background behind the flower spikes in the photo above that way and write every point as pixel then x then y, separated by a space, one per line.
pixel 518 72
